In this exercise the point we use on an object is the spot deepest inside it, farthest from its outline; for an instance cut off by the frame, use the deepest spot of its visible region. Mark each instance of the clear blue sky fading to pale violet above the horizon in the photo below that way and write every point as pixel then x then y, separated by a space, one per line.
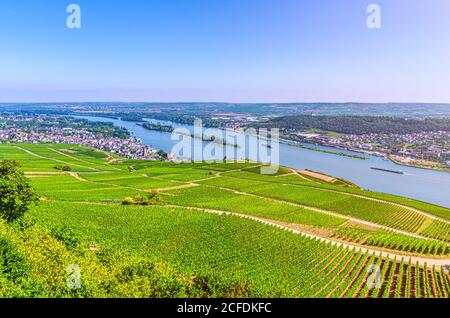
pixel 225 50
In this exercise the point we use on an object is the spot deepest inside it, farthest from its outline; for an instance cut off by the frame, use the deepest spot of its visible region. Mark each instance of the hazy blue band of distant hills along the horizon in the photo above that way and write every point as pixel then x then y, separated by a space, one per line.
pixel 417 110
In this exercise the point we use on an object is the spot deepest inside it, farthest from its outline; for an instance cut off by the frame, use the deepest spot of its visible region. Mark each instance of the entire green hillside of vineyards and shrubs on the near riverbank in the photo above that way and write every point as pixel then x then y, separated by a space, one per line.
pixel 219 230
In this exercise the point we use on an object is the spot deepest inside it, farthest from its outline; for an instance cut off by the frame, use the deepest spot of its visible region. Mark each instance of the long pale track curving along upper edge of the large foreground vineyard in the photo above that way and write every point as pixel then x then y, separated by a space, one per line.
pixel 391 255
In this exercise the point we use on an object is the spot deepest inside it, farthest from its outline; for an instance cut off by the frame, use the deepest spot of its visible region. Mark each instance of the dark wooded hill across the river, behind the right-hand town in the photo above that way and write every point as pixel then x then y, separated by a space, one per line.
pixel 358 124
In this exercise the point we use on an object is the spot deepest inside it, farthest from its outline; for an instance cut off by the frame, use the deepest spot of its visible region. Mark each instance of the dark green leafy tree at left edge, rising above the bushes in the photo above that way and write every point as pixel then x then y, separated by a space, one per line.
pixel 16 193
